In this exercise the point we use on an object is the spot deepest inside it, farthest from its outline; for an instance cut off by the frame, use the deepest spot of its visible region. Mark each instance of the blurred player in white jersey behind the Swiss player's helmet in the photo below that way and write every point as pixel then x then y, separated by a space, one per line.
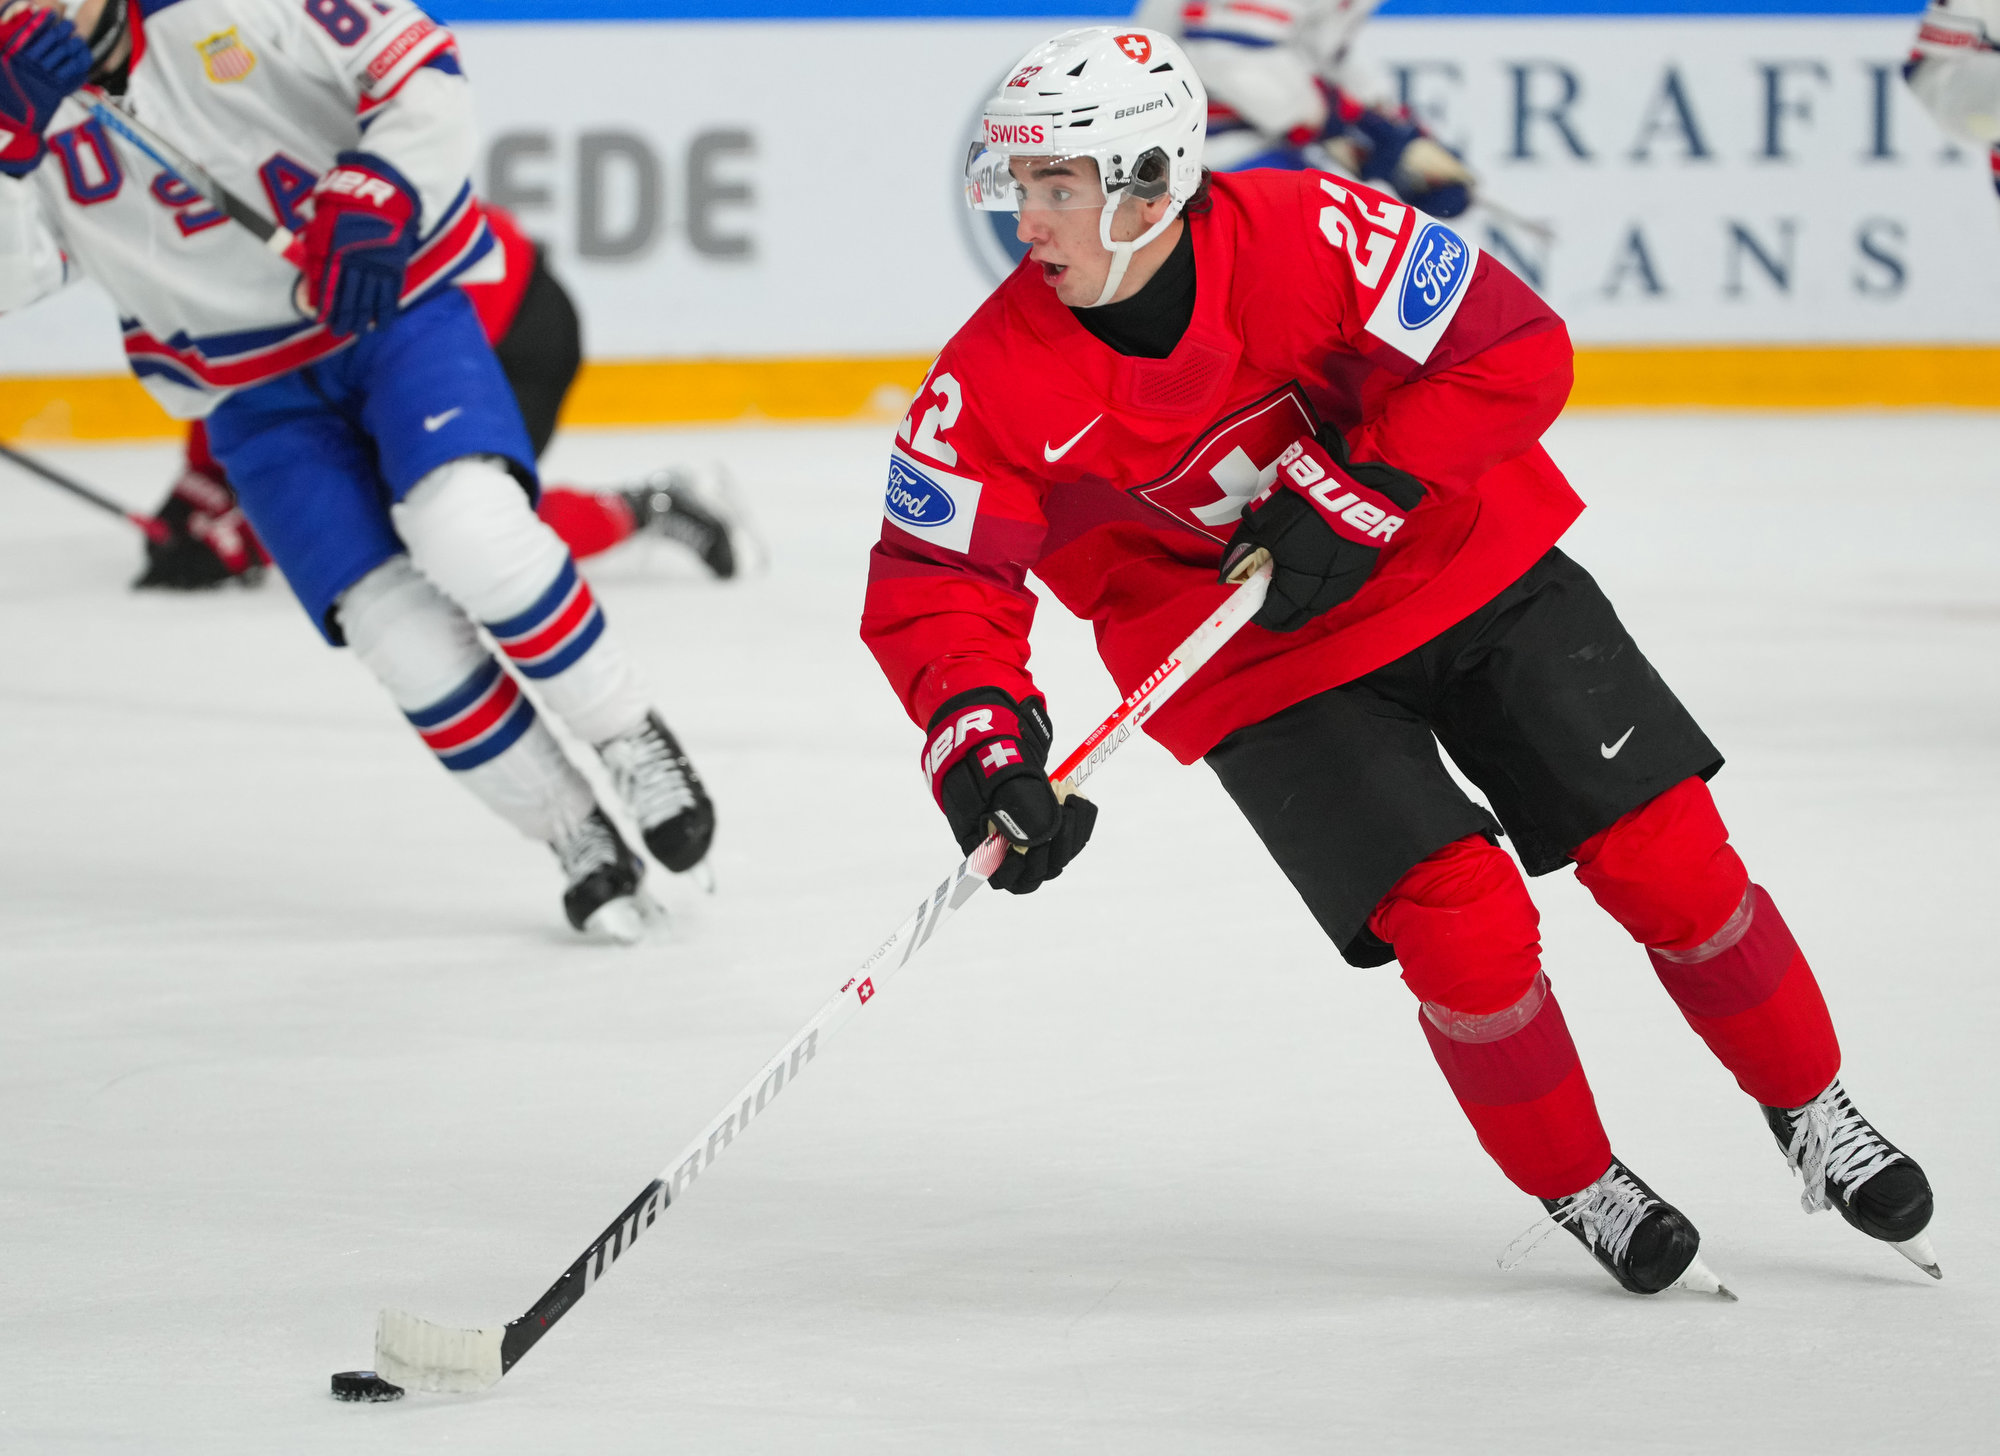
pixel 1285 91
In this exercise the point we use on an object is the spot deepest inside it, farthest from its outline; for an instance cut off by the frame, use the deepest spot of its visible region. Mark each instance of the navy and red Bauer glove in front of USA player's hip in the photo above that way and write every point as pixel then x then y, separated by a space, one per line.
pixel 357 247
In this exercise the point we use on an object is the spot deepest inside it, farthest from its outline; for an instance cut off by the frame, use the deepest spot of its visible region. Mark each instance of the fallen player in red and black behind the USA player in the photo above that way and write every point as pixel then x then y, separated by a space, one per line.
pixel 533 327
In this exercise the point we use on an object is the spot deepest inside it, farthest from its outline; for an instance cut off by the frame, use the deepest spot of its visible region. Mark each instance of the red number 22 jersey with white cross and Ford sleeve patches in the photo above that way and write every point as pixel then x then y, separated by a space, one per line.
pixel 1117 481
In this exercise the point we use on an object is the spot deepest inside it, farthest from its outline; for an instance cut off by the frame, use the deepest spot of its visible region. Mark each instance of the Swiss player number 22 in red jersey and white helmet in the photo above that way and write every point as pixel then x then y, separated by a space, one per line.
pixel 1195 367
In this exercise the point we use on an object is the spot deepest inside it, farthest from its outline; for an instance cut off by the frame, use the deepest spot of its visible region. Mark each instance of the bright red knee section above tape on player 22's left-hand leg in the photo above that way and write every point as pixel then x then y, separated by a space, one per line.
pixel 1463 929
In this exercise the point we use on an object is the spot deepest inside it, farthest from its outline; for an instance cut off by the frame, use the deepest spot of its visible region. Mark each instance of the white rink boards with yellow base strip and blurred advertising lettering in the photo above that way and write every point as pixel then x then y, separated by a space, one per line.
pixel 761 217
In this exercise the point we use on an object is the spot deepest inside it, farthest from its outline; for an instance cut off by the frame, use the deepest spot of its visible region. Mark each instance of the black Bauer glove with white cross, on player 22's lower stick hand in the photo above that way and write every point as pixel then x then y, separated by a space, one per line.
pixel 987 759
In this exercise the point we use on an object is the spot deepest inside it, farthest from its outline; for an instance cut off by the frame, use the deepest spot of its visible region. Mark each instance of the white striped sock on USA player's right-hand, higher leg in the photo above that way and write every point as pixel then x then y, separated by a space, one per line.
pixel 473 533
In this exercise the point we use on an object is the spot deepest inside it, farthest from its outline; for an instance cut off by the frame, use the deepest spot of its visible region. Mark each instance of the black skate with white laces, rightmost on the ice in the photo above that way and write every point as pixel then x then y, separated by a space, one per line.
pixel 1851 1167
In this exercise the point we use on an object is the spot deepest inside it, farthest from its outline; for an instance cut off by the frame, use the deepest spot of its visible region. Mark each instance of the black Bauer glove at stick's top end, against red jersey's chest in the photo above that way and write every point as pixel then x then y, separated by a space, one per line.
pixel 1325 525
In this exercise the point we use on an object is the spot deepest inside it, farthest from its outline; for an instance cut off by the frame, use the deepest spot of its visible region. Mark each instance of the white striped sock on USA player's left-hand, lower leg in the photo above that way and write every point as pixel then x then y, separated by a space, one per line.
pixel 463 703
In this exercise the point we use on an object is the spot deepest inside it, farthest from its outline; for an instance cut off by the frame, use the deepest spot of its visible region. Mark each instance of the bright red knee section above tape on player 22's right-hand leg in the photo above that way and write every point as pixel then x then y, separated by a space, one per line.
pixel 1667 871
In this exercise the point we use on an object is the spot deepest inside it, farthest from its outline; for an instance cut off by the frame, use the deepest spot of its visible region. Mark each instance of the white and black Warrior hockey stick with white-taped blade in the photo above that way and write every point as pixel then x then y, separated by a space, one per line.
pixel 433 1357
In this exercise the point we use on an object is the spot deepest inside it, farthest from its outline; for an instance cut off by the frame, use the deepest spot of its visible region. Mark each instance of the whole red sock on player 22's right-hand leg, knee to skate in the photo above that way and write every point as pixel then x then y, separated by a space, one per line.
pixel 1719 945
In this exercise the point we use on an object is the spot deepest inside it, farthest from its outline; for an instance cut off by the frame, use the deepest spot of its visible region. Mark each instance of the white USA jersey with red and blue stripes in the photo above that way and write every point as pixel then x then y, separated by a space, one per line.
pixel 207 307
